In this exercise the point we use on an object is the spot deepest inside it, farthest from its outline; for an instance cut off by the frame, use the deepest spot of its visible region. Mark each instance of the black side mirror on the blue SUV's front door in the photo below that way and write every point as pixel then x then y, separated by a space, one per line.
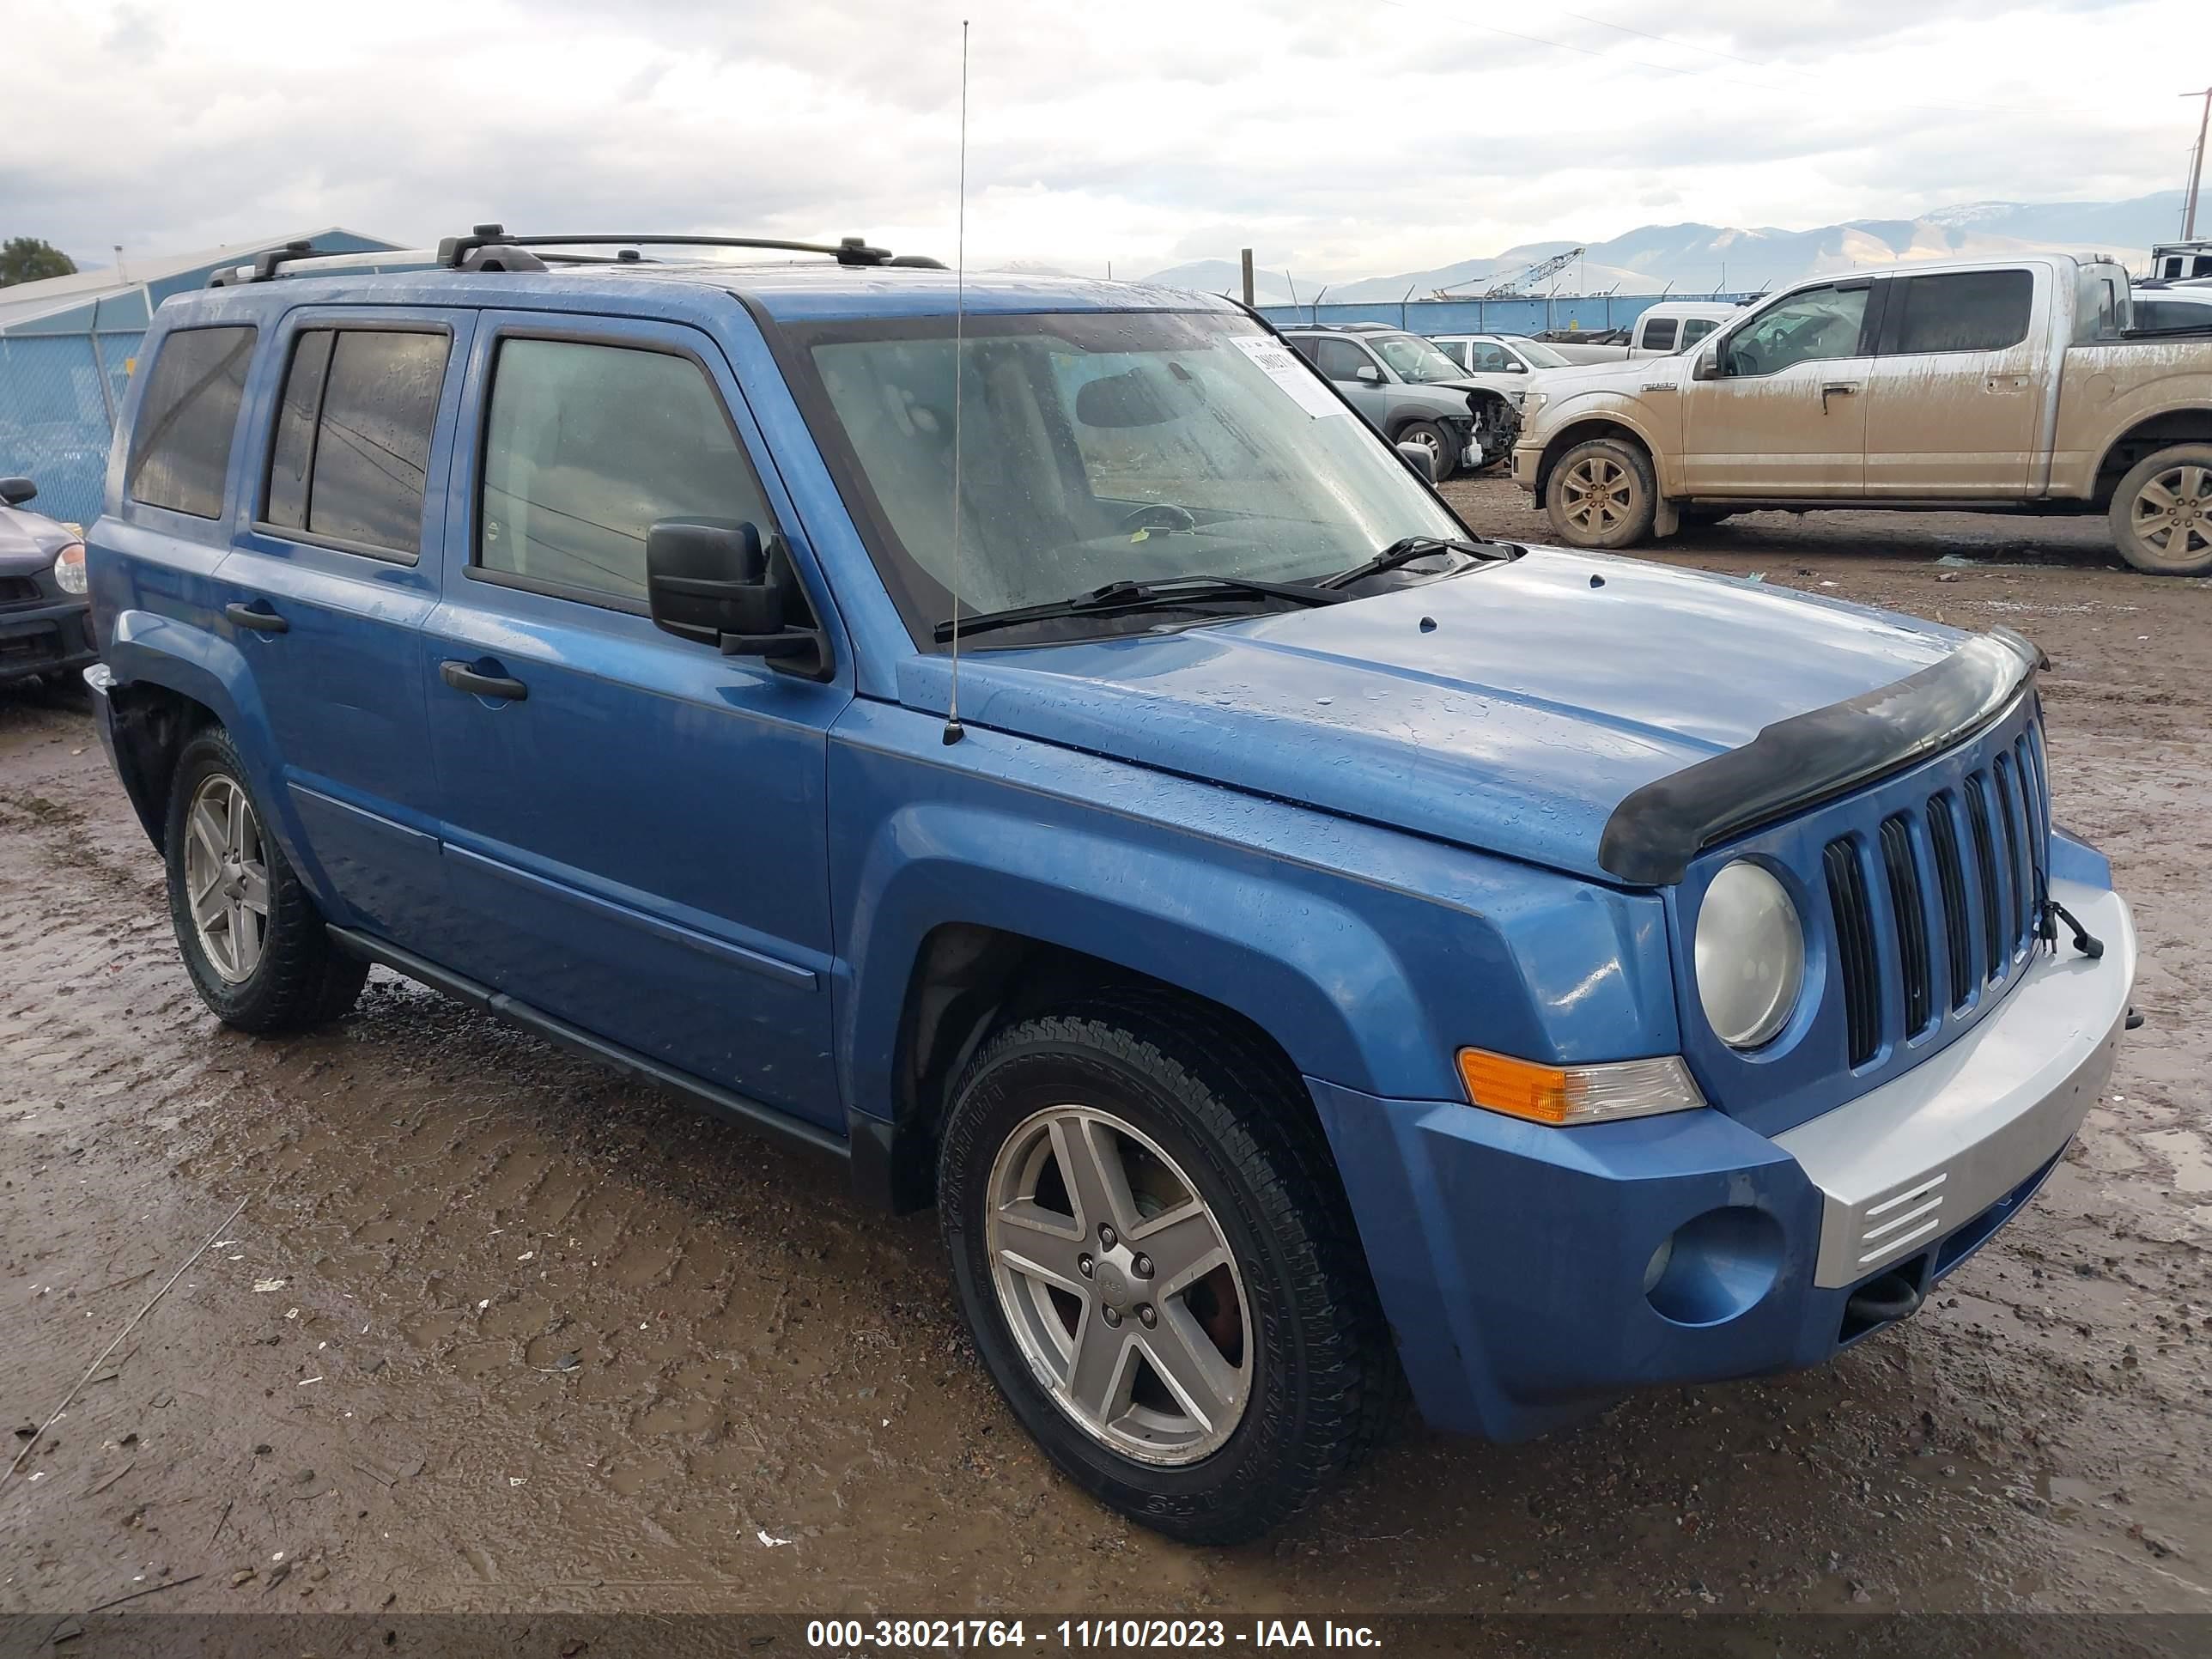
pixel 716 583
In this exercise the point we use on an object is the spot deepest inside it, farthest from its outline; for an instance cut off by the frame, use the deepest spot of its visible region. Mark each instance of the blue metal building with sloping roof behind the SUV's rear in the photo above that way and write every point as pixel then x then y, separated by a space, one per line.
pixel 67 348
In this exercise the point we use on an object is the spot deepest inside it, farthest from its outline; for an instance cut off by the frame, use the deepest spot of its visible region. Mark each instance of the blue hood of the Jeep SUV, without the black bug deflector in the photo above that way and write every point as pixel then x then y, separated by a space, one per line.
pixel 1543 696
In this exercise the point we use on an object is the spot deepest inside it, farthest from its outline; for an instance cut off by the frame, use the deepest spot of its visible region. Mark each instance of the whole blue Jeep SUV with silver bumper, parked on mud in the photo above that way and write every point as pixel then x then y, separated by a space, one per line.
pixel 1034 742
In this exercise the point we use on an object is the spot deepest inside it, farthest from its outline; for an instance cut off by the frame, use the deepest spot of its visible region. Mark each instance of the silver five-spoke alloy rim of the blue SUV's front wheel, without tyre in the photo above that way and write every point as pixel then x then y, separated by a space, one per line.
pixel 1120 1286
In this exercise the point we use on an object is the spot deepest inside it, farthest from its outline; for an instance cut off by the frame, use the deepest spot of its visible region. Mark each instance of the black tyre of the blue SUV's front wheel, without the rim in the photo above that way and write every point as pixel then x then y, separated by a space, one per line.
pixel 1227 1109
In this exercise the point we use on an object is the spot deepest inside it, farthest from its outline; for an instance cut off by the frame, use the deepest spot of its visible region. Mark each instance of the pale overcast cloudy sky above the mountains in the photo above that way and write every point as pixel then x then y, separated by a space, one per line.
pixel 1337 138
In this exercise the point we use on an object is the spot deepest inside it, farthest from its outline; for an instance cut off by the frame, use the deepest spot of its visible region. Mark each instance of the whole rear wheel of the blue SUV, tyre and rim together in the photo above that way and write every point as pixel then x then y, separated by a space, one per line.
pixel 247 928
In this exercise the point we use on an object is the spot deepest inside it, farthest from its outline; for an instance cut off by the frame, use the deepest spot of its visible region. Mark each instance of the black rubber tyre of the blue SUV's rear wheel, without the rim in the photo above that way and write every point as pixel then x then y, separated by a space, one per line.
pixel 300 979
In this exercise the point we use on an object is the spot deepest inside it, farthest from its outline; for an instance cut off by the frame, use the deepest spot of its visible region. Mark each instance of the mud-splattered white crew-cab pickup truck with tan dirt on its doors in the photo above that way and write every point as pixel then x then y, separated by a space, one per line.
pixel 2007 386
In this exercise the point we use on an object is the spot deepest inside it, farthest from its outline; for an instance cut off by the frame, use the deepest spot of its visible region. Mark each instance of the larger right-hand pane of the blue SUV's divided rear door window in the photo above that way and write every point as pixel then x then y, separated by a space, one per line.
pixel 373 446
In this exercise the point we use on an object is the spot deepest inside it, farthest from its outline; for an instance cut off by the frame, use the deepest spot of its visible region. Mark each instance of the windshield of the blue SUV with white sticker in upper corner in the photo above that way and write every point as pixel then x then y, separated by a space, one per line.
pixel 1098 448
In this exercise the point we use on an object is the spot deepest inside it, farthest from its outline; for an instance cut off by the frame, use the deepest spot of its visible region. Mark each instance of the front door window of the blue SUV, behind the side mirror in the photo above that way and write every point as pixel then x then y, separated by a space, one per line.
pixel 587 448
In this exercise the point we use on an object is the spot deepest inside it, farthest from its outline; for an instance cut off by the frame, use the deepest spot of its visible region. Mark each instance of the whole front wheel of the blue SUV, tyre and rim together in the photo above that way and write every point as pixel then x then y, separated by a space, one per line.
pixel 1160 1269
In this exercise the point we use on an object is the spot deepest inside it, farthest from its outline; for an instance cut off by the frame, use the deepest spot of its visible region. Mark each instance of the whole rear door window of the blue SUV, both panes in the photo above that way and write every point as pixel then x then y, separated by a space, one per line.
pixel 353 437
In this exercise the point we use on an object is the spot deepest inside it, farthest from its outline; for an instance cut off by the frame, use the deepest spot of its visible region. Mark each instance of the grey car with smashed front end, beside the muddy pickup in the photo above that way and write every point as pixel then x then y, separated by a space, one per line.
pixel 1412 393
